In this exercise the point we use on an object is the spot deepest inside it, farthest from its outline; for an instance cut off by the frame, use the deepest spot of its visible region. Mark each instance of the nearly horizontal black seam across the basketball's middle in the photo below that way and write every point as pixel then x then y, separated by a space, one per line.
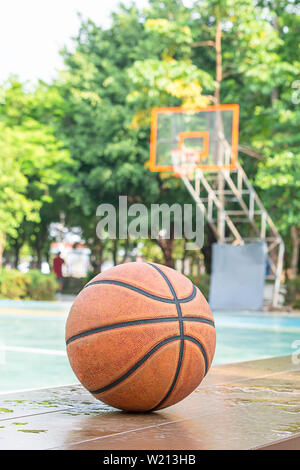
pixel 143 321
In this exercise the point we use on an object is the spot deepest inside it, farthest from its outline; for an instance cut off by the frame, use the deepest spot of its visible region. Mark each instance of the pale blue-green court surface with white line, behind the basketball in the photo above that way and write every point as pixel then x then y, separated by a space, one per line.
pixel 33 354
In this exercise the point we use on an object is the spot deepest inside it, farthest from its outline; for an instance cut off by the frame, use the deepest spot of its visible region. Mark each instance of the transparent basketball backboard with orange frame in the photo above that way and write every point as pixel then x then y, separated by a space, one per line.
pixel 211 131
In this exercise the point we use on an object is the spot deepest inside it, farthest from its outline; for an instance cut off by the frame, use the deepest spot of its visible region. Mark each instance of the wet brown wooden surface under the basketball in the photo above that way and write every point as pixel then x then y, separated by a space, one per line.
pixel 239 406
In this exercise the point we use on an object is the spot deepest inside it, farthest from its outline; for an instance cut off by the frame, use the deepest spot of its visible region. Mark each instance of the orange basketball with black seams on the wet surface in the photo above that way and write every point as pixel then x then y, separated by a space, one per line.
pixel 140 336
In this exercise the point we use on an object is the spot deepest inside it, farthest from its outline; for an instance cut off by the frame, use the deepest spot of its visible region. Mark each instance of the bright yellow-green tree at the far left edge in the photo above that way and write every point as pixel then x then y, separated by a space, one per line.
pixel 32 162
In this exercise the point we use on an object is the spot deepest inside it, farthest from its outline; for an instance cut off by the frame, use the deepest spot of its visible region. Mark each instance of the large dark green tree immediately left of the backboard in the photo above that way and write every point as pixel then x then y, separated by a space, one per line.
pixel 106 125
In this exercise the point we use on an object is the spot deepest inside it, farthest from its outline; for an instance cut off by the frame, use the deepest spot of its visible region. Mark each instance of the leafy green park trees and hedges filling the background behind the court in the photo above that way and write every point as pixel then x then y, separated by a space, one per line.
pixel 81 138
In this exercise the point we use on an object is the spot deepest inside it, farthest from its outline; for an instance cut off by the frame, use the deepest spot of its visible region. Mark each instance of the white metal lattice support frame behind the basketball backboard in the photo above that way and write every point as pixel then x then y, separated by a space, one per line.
pixel 237 215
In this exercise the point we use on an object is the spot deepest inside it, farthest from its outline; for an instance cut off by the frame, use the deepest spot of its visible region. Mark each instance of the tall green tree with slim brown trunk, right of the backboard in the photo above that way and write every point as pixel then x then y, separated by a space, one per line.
pixel 253 46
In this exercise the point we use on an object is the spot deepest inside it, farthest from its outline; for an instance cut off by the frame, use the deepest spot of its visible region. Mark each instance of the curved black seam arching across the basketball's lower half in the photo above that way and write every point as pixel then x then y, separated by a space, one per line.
pixel 144 359
